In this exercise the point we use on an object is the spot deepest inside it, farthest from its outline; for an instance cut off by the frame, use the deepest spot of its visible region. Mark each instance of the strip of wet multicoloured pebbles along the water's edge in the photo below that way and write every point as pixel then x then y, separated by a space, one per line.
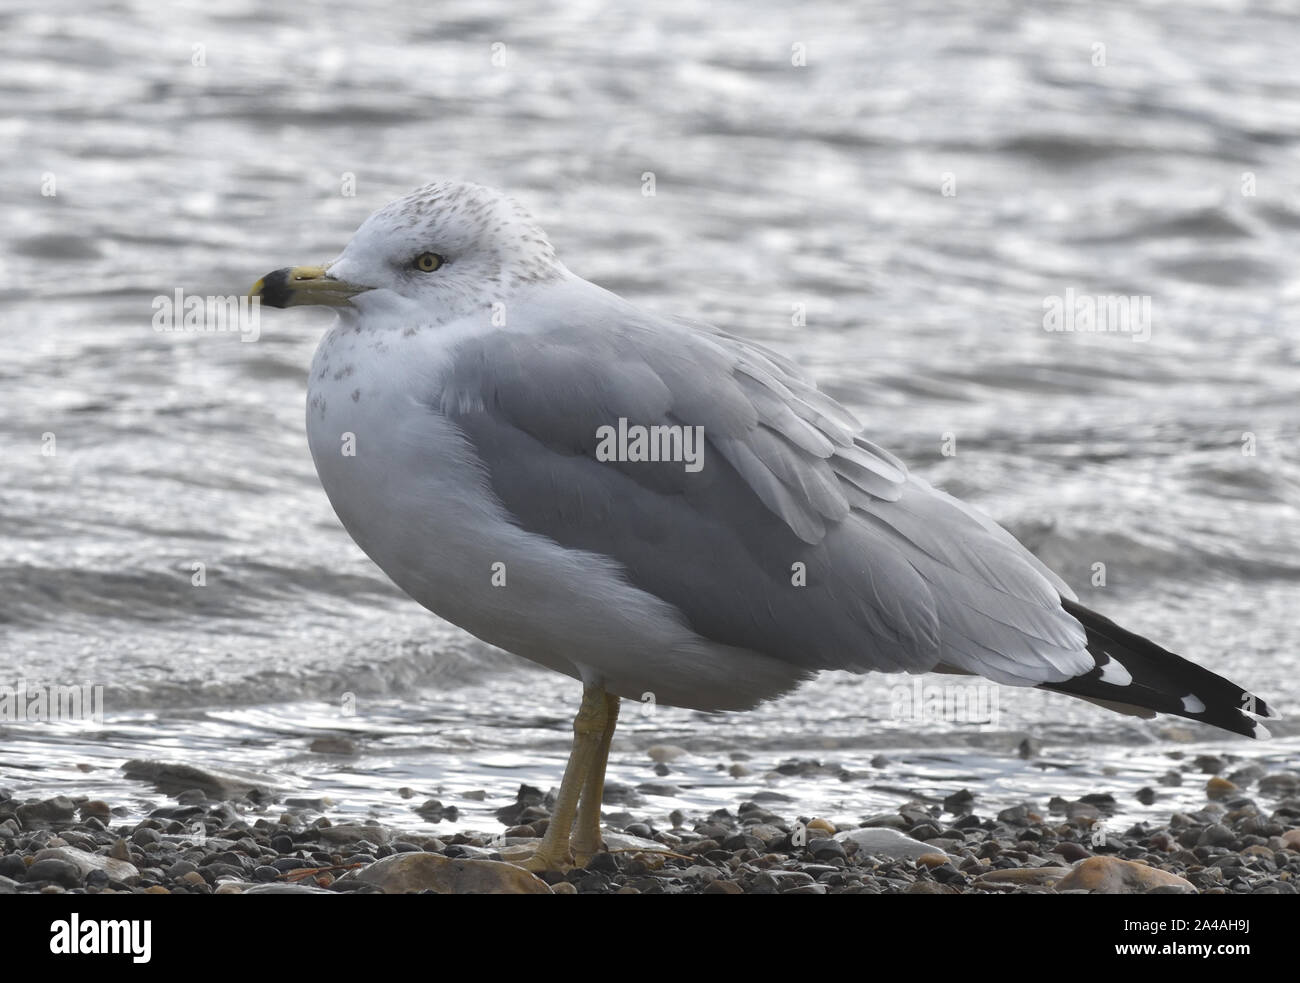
pixel 219 835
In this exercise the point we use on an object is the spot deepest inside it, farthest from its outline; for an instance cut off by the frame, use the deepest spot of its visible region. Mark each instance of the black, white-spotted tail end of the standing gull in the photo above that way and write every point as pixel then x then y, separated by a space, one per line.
pixel 1137 677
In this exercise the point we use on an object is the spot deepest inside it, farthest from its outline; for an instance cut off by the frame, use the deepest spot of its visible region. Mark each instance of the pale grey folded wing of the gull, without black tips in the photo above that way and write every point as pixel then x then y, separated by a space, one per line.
pixel 799 538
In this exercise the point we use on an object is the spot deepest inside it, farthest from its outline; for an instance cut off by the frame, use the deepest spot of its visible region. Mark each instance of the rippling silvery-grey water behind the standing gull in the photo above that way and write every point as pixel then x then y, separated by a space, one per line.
pixel 203 149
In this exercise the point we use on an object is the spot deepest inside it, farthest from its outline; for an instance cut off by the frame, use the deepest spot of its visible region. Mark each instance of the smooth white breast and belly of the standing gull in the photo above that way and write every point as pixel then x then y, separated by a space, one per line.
pixel 409 488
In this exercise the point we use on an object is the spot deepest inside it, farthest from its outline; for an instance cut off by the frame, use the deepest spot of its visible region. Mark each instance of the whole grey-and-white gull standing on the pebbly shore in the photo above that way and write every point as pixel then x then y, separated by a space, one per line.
pixel 656 508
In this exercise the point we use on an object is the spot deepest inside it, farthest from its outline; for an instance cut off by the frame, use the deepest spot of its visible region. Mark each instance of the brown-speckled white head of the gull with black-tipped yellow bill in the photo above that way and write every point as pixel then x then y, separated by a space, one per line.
pixel 439 254
